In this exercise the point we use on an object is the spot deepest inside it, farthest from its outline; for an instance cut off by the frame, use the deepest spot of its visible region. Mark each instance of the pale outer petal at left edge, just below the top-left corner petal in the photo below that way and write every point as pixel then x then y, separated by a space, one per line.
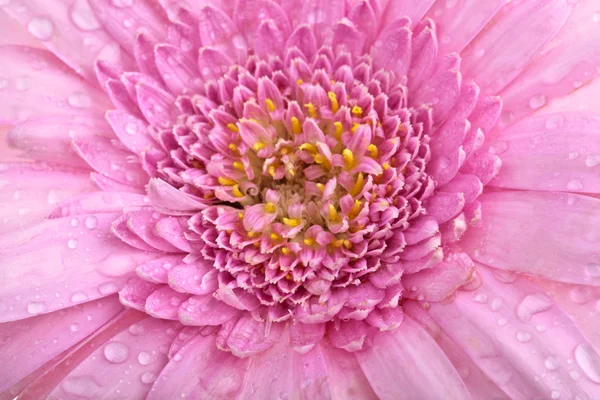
pixel 34 78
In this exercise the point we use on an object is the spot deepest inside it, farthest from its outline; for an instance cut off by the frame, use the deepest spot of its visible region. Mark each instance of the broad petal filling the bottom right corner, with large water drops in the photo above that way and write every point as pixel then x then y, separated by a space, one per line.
pixel 515 333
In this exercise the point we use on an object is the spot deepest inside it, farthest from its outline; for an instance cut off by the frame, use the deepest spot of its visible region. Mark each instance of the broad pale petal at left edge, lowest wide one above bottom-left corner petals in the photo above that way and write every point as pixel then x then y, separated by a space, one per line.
pixel 48 257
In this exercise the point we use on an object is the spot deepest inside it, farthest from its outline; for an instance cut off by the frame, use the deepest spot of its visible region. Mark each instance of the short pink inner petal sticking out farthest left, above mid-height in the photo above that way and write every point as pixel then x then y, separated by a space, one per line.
pixel 110 161
